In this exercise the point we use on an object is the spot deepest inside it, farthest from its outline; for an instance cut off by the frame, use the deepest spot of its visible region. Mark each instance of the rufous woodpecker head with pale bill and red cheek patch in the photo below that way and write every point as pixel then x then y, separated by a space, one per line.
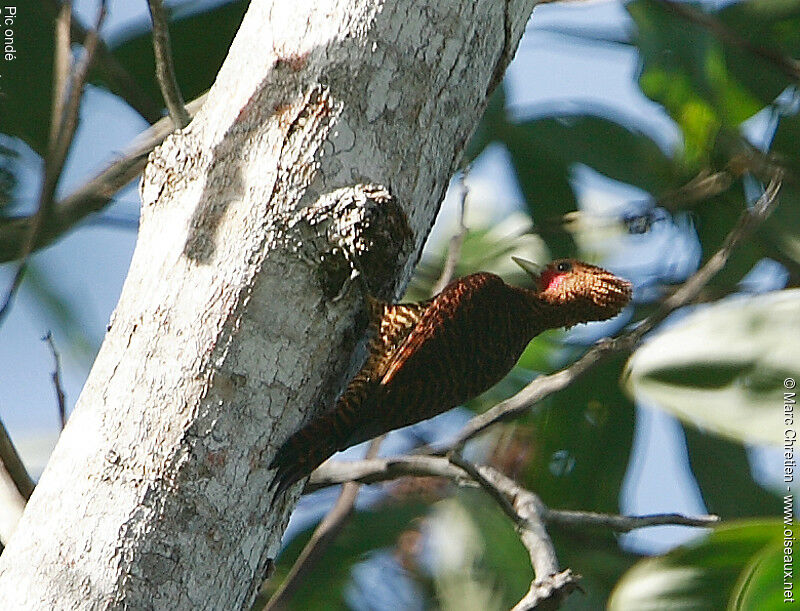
pixel 587 291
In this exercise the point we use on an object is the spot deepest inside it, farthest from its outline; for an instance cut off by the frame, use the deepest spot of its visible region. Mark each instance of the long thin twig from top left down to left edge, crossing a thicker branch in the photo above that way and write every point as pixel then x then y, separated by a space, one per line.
pixel 57 154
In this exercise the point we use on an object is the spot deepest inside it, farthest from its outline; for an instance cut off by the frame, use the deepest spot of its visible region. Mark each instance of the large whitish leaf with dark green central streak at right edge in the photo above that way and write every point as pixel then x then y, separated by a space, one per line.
pixel 722 368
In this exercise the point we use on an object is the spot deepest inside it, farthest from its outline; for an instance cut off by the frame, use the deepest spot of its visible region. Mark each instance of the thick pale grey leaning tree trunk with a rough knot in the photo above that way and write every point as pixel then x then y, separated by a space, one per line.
pixel 324 148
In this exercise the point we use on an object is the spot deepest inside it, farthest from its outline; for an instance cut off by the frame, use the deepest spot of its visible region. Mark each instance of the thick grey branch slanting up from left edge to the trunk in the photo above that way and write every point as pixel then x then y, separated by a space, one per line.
pixel 92 196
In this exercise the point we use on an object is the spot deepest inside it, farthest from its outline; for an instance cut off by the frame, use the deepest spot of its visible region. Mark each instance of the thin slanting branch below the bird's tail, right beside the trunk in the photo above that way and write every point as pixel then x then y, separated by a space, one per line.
pixel 325 533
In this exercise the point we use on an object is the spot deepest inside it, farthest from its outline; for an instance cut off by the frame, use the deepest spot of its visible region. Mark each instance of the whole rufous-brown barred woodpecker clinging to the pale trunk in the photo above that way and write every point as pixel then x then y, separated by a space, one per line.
pixel 425 358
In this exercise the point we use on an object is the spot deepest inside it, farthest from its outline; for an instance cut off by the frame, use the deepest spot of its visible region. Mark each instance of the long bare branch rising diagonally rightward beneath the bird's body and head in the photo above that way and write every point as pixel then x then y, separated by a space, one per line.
pixel 544 386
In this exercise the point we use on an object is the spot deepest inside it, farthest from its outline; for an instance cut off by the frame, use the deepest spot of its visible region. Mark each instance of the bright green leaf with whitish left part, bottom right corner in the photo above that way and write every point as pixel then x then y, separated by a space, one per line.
pixel 723 571
